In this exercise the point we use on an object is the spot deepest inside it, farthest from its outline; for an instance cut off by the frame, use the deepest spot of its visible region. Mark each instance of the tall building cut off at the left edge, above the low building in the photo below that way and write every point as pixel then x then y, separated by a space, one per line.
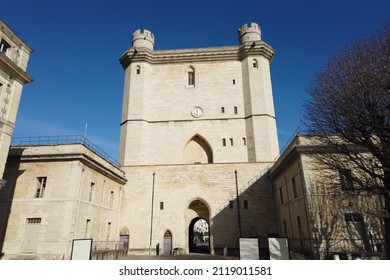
pixel 14 56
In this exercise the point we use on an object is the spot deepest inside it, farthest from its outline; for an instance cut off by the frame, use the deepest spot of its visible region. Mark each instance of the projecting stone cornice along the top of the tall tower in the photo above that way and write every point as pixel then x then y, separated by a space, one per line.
pixel 232 53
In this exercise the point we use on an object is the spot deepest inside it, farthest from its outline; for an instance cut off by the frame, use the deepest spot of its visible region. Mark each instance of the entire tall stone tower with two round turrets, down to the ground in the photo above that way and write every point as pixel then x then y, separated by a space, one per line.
pixel 195 124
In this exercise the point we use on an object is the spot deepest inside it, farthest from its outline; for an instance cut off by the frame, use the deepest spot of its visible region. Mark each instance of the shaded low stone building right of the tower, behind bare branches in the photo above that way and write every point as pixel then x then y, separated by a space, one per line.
pixel 316 214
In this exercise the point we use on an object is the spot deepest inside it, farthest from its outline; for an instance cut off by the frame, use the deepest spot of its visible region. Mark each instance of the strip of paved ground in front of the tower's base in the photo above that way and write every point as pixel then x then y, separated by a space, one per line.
pixel 191 256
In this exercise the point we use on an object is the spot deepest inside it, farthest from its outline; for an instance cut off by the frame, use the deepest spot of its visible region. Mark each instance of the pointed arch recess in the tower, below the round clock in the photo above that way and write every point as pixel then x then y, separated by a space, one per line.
pixel 197 150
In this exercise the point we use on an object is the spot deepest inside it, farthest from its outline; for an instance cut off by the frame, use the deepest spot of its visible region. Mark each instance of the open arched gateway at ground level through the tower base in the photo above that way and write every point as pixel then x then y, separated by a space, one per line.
pixel 198 217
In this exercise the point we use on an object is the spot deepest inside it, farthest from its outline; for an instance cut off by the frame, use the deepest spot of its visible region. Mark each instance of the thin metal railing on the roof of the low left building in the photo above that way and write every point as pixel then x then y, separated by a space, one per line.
pixel 61 140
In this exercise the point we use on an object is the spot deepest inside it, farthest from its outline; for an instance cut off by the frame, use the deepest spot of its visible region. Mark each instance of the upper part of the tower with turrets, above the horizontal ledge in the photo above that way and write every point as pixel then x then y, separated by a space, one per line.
pixel 219 97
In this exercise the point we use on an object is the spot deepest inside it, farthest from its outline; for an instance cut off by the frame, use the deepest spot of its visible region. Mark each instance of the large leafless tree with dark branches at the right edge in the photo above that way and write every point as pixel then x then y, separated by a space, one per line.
pixel 349 111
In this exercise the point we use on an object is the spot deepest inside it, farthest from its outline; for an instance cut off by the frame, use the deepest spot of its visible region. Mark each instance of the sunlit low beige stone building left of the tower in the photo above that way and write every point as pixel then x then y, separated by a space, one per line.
pixel 57 193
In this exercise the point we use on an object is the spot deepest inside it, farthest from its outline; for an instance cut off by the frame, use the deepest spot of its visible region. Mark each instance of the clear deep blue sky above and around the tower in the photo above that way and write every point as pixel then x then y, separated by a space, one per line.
pixel 77 44
